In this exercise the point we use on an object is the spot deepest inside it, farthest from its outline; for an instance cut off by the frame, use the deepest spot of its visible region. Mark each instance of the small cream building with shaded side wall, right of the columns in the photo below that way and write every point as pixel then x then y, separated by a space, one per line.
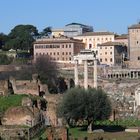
pixel 111 53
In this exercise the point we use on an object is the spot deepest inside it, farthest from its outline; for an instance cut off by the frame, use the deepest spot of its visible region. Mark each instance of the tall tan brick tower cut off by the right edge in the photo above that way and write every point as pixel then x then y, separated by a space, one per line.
pixel 134 45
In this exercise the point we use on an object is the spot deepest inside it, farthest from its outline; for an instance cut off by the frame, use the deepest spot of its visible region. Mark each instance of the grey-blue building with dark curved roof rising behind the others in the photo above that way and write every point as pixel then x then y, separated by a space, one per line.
pixel 75 29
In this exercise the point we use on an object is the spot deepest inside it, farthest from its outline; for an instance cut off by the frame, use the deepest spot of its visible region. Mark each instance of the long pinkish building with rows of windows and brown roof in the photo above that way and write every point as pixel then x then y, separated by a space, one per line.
pixel 60 49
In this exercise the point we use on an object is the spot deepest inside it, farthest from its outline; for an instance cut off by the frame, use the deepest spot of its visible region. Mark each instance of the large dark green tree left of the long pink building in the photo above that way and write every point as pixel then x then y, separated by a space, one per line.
pixel 21 37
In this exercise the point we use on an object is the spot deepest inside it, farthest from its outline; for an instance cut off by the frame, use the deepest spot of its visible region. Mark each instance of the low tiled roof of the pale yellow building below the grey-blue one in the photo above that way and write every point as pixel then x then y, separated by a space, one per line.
pixel 96 33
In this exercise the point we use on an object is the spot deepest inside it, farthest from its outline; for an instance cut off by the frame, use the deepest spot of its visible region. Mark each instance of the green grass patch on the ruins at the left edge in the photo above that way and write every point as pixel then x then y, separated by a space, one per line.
pixel 10 101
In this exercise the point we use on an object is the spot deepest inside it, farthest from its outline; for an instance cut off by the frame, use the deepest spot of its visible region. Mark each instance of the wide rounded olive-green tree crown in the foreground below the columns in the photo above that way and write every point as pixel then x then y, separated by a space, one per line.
pixel 80 104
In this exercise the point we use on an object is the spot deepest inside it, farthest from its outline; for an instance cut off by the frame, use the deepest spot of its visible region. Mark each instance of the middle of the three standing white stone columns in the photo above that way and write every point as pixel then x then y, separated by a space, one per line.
pixel 85 74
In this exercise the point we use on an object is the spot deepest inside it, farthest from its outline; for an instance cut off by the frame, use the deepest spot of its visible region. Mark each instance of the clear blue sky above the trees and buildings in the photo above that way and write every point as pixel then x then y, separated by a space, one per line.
pixel 104 15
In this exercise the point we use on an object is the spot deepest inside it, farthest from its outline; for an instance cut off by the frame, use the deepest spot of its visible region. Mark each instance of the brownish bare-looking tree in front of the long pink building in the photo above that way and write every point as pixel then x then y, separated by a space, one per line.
pixel 47 71
